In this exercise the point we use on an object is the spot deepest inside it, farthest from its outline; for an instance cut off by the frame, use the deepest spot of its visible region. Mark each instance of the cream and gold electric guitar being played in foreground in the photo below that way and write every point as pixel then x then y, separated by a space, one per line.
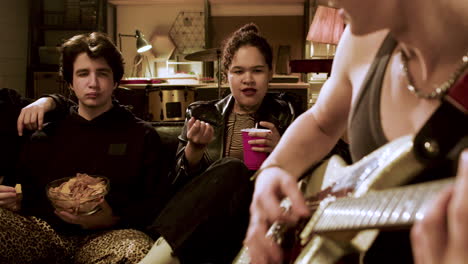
pixel 357 201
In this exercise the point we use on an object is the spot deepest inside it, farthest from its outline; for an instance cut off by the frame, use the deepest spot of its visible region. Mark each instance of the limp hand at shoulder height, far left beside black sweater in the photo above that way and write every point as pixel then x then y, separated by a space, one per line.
pixel 32 116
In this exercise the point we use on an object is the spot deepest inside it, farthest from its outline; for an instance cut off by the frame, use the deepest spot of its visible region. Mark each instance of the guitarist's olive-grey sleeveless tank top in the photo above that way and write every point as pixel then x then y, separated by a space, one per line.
pixel 364 126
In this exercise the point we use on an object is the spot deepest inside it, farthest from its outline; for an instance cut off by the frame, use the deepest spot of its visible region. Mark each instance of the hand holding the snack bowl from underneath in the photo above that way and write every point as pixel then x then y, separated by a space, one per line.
pixel 103 218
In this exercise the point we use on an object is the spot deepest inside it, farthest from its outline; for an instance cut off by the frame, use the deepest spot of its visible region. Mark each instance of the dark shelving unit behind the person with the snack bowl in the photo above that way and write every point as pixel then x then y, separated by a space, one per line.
pixel 53 21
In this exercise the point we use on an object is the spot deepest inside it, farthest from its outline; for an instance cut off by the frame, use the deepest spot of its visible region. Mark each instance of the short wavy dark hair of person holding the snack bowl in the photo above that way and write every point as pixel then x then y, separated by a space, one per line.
pixel 96 45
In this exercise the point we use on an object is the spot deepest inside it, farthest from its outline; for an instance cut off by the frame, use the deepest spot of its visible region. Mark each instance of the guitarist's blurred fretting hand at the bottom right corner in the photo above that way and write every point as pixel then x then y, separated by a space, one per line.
pixel 442 236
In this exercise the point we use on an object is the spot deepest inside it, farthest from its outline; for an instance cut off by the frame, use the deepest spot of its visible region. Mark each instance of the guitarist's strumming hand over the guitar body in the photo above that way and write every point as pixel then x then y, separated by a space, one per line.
pixel 271 186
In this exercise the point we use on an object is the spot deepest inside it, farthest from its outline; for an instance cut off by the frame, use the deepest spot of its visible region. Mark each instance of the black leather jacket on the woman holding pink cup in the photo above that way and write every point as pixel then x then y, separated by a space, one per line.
pixel 275 108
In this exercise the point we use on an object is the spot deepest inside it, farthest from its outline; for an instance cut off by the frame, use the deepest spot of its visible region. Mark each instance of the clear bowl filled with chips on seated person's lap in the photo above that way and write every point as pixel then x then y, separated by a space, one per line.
pixel 79 195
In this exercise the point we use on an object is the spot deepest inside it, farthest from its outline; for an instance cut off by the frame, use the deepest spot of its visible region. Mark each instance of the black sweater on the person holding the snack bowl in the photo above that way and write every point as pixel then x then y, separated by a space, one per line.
pixel 115 144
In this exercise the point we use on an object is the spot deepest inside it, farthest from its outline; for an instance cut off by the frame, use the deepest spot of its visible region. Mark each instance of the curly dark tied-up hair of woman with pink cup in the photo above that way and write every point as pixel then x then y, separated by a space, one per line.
pixel 247 35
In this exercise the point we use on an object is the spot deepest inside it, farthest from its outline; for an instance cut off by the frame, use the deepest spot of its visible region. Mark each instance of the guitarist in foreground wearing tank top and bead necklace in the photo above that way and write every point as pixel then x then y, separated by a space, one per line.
pixel 395 63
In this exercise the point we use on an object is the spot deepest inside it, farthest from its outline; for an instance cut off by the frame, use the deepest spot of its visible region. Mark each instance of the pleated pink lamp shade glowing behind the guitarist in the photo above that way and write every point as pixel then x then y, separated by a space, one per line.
pixel 327 26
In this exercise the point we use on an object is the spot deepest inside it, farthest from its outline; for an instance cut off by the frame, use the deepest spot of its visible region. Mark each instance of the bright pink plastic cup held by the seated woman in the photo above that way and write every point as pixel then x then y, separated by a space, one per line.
pixel 253 159
